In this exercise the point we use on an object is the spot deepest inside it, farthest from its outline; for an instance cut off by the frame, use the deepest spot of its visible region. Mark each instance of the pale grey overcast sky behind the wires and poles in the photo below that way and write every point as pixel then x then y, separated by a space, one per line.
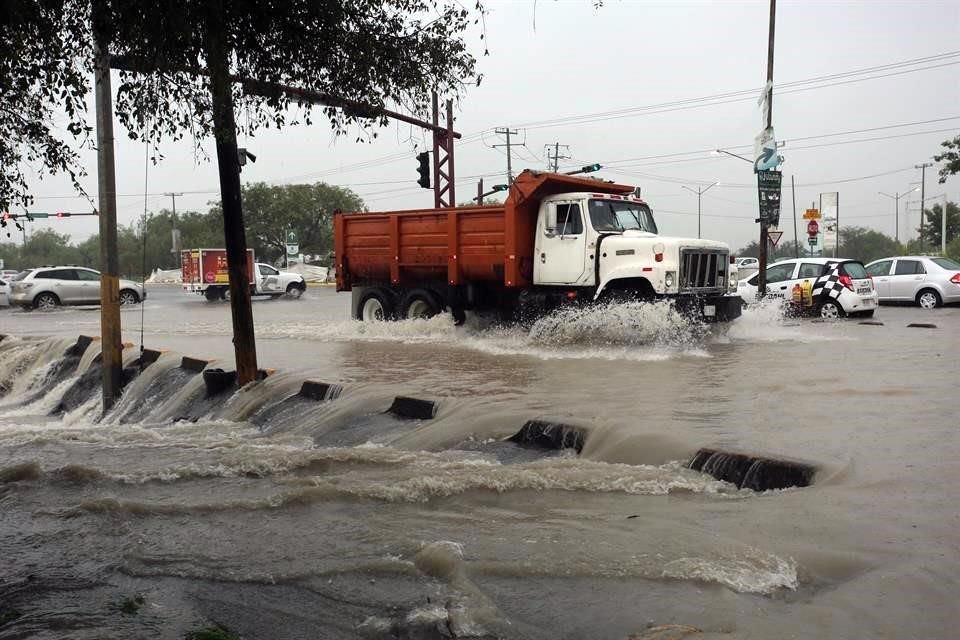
pixel 553 60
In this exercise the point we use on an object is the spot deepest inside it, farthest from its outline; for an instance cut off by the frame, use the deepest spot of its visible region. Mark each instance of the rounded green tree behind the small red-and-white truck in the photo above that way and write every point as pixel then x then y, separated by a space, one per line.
pixel 271 212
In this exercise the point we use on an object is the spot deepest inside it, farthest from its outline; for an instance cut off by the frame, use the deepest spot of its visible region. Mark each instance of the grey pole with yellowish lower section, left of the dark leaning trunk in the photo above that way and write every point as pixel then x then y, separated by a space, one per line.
pixel 111 343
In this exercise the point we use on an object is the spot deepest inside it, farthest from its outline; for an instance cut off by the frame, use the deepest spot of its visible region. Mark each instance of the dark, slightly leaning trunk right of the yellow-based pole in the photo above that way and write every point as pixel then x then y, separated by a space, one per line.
pixel 228 161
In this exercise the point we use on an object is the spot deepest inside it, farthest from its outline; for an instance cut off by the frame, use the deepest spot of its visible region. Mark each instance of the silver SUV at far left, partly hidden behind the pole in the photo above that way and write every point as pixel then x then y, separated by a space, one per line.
pixel 48 287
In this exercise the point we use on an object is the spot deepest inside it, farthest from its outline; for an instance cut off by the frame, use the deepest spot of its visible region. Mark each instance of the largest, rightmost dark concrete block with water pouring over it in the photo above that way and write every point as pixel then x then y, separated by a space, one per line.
pixel 752 472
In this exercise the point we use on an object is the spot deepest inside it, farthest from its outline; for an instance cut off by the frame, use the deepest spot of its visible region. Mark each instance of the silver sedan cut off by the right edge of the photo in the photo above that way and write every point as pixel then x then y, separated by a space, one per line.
pixel 923 280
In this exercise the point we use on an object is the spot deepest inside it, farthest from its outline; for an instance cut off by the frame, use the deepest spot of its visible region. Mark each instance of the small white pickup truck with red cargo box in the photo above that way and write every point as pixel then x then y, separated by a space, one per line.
pixel 204 272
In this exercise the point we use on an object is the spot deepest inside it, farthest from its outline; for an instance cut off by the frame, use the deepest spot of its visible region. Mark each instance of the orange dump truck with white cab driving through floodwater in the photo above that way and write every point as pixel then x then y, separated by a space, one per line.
pixel 557 239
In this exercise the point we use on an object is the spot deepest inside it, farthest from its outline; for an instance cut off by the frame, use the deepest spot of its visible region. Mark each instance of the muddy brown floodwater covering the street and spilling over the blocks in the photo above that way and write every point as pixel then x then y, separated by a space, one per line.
pixel 284 517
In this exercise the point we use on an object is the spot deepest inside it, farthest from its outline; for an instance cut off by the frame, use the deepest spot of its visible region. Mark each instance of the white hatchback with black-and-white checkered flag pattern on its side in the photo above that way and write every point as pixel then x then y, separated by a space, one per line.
pixel 854 292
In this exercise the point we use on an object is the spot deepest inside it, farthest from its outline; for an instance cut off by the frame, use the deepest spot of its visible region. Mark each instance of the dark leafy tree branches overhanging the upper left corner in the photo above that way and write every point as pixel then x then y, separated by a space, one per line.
pixel 377 52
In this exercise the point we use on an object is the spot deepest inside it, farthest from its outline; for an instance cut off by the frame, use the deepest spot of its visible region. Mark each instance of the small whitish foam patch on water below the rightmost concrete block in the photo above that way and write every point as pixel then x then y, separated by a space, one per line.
pixel 753 571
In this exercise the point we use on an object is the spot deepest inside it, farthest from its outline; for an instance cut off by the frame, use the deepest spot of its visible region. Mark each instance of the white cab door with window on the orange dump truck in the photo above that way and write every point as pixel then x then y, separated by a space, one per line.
pixel 560 246
